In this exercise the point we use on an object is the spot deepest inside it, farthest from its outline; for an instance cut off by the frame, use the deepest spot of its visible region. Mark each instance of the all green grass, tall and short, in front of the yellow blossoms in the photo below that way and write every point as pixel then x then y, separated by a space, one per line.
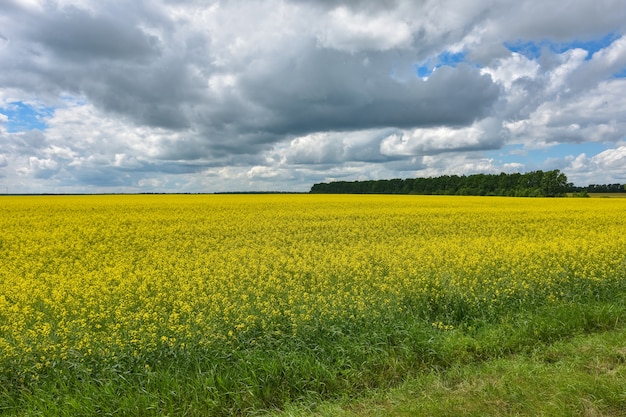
pixel 555 360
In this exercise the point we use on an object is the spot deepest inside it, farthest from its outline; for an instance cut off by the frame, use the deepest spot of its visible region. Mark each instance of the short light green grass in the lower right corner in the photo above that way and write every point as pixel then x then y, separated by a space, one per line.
pixel 582 375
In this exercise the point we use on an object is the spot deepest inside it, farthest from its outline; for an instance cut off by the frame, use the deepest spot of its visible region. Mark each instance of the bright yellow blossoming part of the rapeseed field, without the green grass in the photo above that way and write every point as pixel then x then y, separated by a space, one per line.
pixel 96 281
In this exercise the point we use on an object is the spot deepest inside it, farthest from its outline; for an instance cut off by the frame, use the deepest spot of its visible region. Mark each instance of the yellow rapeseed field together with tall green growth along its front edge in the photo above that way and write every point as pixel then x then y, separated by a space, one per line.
pixel 258 300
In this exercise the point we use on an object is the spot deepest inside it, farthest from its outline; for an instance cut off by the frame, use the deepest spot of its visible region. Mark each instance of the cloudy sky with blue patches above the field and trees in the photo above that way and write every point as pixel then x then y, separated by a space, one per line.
pixel 205 96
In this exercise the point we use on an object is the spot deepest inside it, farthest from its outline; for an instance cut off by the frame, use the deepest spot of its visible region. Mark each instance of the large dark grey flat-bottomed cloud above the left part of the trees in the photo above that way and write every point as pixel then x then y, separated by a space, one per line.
pixel 332 90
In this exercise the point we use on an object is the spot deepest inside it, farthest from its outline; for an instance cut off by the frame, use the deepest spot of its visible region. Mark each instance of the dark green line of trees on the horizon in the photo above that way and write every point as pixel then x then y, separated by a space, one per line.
pixel 532 184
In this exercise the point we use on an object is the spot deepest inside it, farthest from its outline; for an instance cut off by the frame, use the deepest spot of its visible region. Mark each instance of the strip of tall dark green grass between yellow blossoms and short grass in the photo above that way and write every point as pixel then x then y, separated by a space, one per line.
pixel 330 363
